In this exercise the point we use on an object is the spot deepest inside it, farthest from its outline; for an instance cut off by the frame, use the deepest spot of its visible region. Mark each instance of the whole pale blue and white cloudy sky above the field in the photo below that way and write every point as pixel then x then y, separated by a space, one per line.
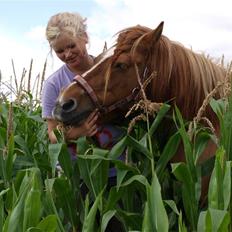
pixel 205 26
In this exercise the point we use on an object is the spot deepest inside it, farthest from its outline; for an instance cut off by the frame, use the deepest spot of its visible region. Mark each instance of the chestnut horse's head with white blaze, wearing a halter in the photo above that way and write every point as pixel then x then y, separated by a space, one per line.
pixel 112 84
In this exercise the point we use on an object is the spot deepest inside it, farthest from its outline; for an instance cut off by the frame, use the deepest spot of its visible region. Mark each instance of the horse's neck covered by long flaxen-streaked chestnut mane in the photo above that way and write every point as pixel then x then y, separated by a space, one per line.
pixel 183 77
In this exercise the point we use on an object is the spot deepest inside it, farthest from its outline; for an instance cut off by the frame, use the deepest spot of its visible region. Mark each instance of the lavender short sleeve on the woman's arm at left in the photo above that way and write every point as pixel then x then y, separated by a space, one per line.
pixel 49 96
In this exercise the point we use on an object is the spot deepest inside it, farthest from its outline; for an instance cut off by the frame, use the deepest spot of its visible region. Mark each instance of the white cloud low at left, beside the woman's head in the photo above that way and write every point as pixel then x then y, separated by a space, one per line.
pixel 31 45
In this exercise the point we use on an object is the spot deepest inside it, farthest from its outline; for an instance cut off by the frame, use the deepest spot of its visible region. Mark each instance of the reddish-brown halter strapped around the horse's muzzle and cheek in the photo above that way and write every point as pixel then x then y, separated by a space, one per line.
pixel 105 109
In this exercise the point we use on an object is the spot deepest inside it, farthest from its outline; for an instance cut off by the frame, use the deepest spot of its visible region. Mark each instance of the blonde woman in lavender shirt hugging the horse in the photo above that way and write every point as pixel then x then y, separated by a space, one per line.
pixel 67 37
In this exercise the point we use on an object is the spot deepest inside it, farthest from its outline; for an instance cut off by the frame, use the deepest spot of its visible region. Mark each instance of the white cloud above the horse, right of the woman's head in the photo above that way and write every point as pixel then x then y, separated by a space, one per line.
pixel 203 25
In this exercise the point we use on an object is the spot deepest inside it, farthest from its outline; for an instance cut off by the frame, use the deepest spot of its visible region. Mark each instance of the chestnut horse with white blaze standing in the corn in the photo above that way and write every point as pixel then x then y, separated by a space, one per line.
pixel 183 78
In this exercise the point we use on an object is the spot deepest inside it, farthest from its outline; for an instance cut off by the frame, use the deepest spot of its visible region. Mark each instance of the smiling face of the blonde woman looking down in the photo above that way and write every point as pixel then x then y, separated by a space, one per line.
pixel 71 50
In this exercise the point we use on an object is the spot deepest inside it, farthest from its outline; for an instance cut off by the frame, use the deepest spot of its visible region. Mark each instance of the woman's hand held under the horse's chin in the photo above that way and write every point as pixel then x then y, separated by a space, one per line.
pixel 87 128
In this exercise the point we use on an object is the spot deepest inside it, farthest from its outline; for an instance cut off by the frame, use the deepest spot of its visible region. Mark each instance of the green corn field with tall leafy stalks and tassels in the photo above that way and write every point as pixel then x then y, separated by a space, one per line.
pixel 150 193
